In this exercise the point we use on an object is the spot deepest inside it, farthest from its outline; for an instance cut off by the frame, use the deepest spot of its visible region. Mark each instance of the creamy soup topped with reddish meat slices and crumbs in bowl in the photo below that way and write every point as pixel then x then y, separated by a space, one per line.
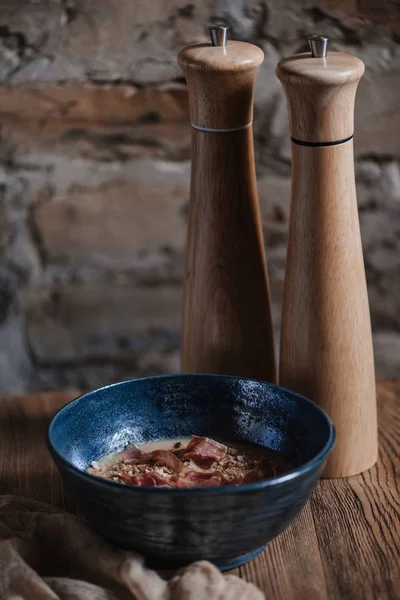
pixel 190 462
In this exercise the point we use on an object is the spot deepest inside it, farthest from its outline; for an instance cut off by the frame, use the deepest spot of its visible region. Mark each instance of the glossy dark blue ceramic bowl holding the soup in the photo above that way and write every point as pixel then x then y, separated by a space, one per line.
pixel 227 525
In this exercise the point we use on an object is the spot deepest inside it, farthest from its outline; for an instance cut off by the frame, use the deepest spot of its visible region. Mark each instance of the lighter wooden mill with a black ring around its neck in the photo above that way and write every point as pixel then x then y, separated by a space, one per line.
pixel 326 342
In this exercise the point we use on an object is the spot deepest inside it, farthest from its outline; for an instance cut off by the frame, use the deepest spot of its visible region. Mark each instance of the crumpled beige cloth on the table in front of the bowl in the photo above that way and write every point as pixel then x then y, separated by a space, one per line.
pixel 48 554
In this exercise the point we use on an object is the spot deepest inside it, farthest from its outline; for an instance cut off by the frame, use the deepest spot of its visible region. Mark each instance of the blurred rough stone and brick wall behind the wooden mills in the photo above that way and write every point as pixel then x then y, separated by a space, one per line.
pixel 94 168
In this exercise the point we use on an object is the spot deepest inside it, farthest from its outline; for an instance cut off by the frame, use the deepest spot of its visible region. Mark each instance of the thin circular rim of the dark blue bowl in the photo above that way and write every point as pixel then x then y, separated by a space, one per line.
pixel 294 474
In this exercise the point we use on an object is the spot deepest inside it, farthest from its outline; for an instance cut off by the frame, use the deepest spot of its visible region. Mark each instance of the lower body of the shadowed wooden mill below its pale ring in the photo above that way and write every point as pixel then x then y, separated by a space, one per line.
pixel 227 325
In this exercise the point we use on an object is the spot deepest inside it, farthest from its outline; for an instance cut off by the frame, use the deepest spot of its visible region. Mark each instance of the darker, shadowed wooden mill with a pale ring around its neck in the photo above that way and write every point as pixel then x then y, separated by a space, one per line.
pixel 227 318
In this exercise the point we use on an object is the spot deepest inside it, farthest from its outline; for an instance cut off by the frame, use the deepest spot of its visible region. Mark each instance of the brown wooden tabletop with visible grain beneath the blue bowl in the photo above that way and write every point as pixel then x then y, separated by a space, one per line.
pixel 344 544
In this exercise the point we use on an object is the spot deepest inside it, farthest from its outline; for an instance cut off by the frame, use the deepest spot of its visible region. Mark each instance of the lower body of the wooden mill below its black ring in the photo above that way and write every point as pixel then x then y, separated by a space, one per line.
pixel 326 340
